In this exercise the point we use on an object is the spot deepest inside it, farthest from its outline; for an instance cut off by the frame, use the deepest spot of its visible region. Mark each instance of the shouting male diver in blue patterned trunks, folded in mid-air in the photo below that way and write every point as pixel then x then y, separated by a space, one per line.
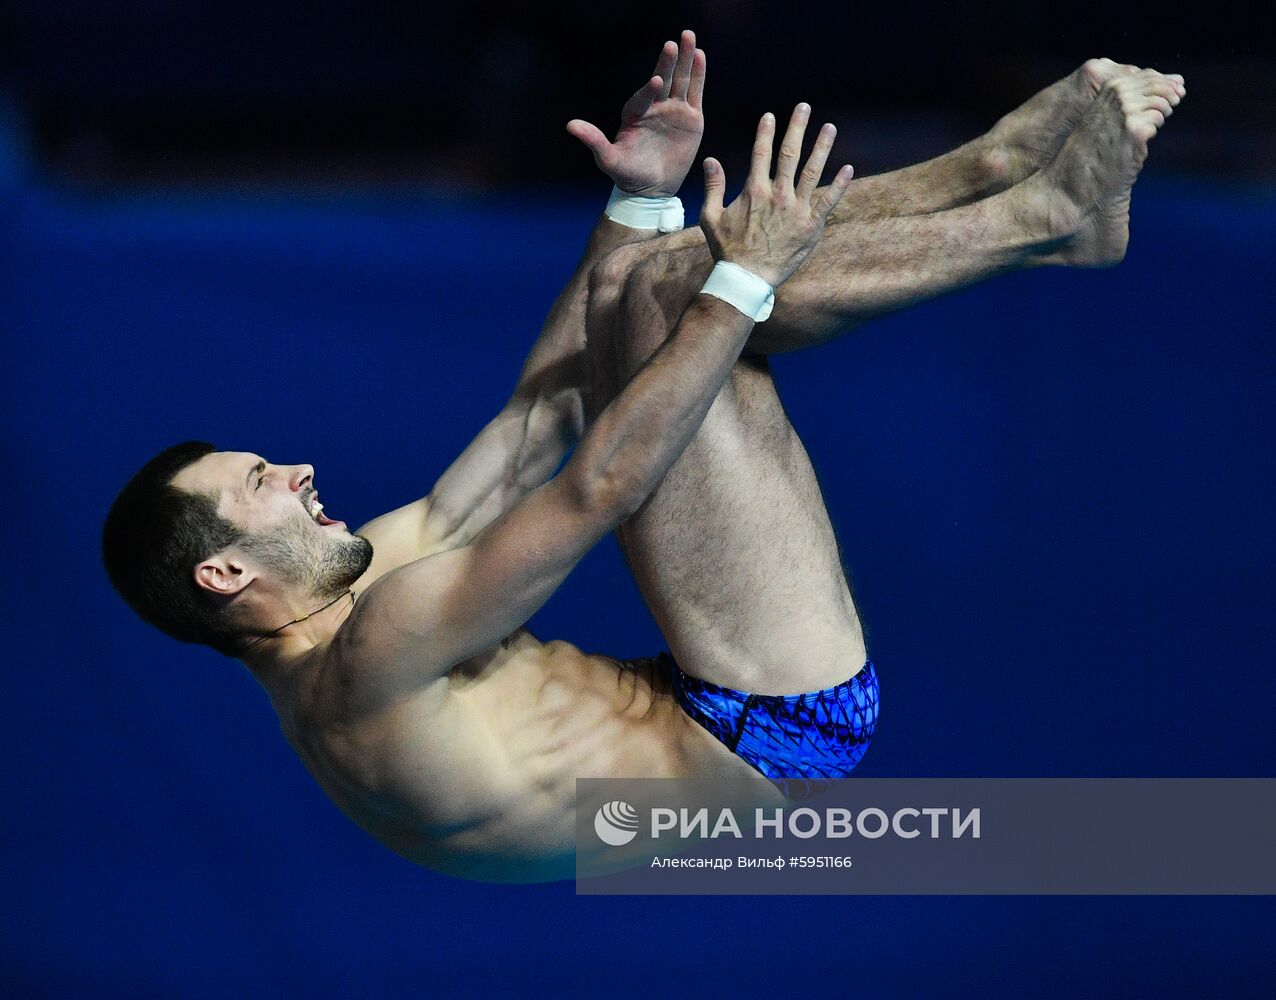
pixel 396 656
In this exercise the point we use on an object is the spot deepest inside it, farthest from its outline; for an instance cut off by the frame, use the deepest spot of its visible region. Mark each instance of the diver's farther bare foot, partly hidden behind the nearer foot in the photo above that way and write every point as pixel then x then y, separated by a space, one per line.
pixel 1032 136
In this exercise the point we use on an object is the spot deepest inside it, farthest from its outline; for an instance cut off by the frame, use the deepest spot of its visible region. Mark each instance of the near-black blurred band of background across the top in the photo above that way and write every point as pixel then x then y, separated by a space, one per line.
pixel 475 96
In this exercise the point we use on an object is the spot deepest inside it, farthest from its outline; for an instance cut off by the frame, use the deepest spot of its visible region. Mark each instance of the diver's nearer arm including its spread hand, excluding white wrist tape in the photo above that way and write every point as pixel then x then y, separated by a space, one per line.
pixel 436 613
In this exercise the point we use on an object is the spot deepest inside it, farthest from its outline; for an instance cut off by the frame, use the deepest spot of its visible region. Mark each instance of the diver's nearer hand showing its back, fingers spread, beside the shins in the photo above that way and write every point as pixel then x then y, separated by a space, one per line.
pixel 773 226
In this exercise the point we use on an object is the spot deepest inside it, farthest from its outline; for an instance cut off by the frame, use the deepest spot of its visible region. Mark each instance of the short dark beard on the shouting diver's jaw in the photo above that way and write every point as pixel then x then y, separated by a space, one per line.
pixel 325 566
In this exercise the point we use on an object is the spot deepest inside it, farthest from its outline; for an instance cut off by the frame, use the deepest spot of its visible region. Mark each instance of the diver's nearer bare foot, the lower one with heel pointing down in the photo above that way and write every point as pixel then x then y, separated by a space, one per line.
pixel 1088 186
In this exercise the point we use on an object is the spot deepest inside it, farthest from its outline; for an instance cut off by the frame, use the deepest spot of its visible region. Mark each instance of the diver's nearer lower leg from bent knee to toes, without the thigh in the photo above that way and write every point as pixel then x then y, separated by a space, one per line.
pixel 1074 211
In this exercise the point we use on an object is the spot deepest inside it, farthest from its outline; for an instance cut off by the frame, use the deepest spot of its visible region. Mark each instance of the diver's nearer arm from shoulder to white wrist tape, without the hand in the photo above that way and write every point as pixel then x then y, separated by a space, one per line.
pixel 429 615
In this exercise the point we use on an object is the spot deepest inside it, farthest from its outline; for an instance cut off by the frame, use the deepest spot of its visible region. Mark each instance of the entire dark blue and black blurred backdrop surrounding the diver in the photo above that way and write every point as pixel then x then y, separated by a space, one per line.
pixel 330 234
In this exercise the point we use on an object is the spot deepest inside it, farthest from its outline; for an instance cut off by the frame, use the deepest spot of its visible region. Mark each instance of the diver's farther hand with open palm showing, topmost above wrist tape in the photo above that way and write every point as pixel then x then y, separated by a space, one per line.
pixel 660 126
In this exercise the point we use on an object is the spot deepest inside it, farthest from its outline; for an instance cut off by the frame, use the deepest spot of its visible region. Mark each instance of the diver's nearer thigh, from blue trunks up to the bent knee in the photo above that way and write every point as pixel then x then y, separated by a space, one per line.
pixel 734 552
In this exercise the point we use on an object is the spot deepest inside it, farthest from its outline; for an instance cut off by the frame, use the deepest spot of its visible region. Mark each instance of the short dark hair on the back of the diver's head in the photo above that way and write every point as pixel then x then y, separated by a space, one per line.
pixel 154 538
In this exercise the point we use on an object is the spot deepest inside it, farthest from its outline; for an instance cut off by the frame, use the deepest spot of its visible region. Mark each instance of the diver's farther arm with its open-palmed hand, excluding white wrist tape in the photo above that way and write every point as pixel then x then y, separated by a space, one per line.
pixel 521 448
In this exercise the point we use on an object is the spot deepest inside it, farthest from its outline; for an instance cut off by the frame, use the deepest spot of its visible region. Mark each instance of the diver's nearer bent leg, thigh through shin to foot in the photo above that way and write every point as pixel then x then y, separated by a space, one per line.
pixel 734 552
